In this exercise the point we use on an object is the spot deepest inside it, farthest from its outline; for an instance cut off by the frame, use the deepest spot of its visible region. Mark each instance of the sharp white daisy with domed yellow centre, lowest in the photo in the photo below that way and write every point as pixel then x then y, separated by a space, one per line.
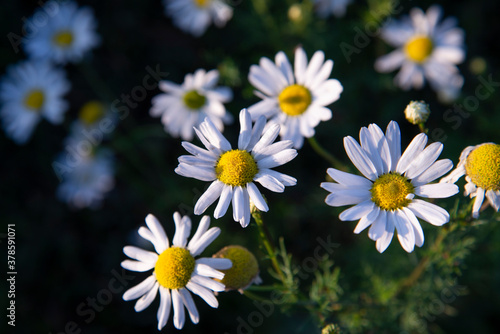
pixel 176 271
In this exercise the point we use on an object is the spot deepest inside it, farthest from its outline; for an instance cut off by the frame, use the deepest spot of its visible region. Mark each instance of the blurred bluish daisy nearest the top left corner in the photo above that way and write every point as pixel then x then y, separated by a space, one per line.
pixel 69 33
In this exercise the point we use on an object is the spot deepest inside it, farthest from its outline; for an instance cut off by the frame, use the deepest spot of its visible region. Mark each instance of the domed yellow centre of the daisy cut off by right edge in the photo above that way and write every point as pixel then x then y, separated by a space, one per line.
pixel 483 166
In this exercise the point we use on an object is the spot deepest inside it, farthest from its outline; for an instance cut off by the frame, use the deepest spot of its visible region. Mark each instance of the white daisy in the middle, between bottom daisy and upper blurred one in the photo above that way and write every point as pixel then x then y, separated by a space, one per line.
pixel 234 171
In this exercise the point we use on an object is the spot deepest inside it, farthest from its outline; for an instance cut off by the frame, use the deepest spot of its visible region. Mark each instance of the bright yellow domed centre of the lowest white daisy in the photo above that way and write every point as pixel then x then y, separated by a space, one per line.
pixel 174 267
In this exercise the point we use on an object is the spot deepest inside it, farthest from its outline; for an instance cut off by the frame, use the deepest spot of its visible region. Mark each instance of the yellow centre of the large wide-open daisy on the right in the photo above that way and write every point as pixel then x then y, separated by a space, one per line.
pixel 390 191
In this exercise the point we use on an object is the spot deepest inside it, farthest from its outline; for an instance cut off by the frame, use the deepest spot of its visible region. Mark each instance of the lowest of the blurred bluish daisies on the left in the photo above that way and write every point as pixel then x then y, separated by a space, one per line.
pixel 86 182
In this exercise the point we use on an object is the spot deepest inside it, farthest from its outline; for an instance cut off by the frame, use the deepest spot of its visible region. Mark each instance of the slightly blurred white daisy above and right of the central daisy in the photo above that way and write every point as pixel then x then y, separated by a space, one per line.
pixel 296 100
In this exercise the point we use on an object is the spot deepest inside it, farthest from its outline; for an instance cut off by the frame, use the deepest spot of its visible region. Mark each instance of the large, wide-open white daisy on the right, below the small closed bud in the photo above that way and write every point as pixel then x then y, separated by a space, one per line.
pixel 384 198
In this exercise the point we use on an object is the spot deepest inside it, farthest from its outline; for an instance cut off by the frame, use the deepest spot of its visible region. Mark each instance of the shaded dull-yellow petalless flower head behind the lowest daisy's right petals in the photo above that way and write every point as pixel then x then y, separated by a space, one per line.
pixel 245 267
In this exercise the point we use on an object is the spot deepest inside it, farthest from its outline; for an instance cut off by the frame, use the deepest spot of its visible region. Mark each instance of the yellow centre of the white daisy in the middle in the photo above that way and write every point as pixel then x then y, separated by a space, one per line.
pixel 236 168
